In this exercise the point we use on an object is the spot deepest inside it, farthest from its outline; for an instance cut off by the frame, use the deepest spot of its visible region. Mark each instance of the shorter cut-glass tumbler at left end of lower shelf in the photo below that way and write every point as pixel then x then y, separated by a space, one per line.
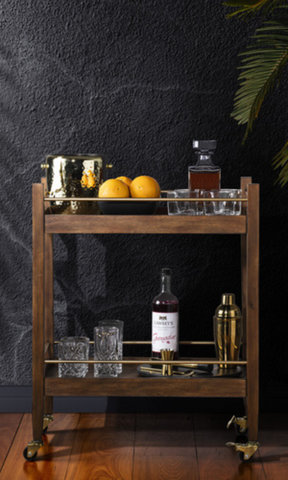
pixel 73 348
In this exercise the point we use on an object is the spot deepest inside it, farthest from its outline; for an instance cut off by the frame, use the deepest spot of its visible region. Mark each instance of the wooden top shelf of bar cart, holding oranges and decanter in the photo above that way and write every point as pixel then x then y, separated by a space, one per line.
pixel 158 223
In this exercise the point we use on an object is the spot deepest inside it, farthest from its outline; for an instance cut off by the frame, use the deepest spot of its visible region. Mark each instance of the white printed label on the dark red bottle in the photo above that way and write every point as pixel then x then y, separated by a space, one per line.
pixel 164 331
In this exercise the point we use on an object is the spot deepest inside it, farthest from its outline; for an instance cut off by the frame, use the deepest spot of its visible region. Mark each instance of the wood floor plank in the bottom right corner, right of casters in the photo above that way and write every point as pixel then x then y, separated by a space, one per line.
pixel 273 438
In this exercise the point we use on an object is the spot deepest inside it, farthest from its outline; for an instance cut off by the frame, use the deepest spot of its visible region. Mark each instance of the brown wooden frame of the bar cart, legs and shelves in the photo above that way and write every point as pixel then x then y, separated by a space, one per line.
pixel 47 384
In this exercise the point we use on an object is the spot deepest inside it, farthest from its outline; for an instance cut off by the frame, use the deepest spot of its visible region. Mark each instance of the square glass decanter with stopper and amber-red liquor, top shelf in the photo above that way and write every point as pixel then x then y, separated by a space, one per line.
pixel 204 175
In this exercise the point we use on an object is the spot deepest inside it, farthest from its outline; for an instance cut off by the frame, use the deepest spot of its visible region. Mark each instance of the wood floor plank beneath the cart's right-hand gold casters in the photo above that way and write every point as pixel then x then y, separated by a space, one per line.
pixel 215 460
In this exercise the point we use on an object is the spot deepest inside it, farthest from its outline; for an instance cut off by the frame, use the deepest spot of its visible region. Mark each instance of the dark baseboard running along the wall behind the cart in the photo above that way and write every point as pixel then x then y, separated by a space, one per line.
pixel 19 399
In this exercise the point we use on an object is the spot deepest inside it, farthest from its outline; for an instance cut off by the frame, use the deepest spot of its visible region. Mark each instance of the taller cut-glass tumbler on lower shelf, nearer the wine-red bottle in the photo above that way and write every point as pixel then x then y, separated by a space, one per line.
pixel 105 348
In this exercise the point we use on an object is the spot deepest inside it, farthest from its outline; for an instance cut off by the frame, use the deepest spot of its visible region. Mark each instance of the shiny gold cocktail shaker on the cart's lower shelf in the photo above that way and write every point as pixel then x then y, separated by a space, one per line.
pixel 227 323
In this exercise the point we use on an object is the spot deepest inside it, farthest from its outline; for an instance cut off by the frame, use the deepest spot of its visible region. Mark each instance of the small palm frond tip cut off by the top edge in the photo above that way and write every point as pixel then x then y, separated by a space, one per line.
pixel 247 8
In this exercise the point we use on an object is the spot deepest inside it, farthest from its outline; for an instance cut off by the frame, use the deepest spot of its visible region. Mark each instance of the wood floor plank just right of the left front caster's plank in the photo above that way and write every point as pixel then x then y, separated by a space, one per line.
pixel 103 447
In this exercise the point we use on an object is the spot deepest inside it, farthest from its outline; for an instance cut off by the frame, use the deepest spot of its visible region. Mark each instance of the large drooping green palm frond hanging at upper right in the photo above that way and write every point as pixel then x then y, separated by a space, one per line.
pixel 261 67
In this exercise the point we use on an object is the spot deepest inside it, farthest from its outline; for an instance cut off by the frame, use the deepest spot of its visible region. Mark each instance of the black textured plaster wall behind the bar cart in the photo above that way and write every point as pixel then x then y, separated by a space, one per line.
pixel 137 81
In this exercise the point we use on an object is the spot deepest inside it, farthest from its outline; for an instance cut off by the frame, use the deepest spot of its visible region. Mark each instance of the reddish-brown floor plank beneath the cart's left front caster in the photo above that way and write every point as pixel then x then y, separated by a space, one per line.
pixel 53 457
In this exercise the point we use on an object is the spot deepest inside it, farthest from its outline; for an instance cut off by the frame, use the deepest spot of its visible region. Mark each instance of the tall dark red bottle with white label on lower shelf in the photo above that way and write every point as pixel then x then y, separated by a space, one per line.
pixel 165 318
